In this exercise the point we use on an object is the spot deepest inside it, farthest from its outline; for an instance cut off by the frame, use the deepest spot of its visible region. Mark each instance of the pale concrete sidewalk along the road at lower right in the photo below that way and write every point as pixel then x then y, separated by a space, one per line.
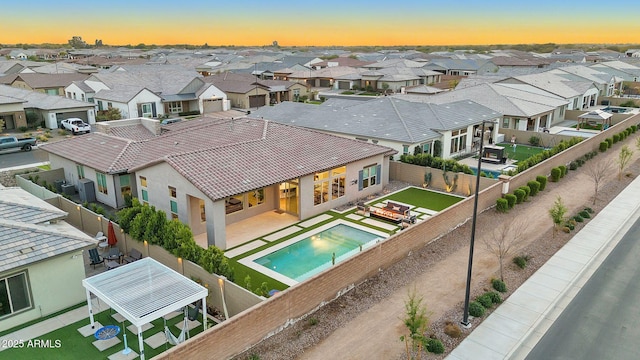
pixel 516 326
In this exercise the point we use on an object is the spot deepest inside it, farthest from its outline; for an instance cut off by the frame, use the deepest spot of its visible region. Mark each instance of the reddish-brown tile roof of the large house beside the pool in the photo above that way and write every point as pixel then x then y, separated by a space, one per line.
pixel 206 152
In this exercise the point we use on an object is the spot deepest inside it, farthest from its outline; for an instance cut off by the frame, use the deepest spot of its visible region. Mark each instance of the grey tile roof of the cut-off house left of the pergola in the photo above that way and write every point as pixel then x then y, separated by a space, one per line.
pixel 27 237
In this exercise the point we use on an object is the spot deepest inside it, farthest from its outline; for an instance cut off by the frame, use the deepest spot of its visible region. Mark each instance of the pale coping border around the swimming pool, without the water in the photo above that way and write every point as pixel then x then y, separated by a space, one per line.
pixel 248 261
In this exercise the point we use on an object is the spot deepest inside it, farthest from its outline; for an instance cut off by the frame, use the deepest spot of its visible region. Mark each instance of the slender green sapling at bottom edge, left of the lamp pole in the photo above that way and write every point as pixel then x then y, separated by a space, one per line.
pixel 416 320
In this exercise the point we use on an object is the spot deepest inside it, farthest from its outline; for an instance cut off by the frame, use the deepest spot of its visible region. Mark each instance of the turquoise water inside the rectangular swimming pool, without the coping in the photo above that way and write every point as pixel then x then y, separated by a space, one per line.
pixel 309 256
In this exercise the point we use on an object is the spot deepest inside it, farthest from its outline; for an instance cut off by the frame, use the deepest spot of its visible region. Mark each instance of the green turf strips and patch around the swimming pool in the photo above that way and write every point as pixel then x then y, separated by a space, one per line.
pixel 412 195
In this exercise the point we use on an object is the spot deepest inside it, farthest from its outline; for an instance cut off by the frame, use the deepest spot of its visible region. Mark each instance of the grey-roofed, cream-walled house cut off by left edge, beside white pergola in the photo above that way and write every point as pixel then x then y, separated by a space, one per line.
pixel 42 265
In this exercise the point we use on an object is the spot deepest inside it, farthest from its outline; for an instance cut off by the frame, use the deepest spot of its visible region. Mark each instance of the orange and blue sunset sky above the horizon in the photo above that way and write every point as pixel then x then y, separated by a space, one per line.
pixel 330 22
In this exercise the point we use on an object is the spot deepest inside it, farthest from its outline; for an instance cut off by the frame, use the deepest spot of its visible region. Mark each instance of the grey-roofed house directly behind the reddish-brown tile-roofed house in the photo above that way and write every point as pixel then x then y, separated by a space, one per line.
pixel 407 127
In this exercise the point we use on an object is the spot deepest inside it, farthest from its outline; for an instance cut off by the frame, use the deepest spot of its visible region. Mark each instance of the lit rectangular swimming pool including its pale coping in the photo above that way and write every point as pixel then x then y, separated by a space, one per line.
pixel 310 253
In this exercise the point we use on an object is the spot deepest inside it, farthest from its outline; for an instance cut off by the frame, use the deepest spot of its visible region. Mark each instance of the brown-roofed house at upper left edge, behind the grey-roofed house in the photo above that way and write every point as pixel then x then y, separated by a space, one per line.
pixel 50 84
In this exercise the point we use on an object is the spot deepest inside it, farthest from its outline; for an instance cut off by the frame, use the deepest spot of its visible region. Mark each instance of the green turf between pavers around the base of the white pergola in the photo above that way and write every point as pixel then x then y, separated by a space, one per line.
pixel 72 345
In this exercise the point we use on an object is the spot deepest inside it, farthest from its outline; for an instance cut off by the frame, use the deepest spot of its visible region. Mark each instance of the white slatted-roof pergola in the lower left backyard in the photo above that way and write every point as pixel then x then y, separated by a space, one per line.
pixel 143 291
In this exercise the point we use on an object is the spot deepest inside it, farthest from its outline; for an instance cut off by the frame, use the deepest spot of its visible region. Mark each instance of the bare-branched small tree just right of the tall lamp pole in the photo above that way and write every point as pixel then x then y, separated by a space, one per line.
pixel 505 238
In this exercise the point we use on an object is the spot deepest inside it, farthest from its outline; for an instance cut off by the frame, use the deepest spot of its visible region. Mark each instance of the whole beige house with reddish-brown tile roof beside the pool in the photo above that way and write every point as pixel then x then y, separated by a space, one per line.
pixel 210 173
